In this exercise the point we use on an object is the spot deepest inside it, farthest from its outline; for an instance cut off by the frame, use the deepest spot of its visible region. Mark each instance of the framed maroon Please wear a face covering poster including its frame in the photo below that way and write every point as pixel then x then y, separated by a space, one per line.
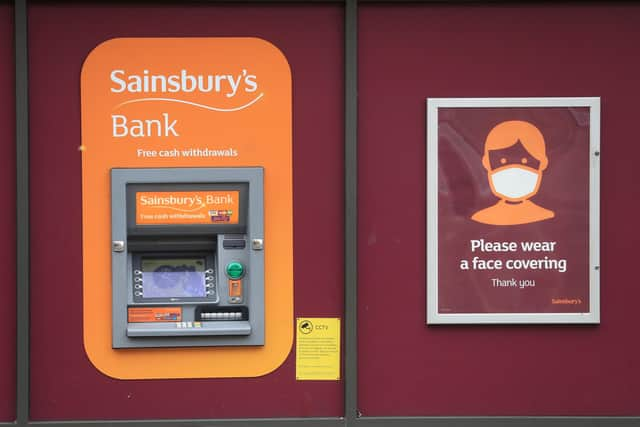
pixel 513 210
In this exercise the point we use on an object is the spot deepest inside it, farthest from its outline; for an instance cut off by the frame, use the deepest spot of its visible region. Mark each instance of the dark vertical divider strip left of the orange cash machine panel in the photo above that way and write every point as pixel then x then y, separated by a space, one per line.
pixel 22 213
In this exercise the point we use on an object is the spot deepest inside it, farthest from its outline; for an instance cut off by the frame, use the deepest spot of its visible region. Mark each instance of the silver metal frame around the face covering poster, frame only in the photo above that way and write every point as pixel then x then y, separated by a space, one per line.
pixel 436 318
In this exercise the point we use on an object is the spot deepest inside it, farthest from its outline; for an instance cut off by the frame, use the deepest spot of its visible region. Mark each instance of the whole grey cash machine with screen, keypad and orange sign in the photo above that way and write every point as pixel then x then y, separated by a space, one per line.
pixel 187 257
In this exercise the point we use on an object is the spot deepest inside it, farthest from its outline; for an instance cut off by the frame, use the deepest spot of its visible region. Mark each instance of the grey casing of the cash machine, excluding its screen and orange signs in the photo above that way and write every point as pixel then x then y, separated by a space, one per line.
pixel 245 331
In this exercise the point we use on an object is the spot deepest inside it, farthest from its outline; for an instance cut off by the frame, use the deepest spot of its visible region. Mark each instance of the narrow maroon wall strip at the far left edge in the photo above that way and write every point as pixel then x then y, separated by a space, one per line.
pixel 7 217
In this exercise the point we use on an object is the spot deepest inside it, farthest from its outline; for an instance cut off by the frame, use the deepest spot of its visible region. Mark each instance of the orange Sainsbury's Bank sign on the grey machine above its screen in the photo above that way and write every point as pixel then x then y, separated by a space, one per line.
pixel 187 207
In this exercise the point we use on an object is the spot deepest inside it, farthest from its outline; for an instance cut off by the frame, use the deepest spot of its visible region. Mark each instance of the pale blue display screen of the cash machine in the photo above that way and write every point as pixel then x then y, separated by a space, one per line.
pixel 173 278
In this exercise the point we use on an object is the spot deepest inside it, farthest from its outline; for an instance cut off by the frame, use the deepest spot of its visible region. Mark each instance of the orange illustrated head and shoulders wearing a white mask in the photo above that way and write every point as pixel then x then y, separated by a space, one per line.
pixel 514 158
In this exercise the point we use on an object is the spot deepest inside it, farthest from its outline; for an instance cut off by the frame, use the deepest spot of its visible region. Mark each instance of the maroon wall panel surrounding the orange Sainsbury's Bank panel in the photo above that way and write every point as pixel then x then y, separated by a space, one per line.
pixel 64 384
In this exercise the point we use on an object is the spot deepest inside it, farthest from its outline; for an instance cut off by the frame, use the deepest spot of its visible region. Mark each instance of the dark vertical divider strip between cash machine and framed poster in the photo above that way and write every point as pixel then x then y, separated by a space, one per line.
pixel 351 212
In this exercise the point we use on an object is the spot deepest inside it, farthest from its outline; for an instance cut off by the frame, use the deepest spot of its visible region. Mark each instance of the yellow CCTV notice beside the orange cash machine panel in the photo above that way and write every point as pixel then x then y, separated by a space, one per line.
pixel 317 348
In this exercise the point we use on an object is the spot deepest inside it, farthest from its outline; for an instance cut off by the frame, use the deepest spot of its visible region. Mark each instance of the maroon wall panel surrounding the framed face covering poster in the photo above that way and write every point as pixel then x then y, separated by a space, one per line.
pixel 411 52
